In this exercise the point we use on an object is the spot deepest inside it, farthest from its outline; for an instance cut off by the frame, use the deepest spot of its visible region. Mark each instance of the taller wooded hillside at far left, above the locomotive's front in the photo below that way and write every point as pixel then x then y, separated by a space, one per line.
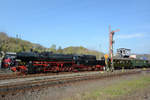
pixel 11 44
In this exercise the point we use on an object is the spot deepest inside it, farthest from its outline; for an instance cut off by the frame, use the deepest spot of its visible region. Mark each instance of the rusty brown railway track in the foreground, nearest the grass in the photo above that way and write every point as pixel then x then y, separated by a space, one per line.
pixel 23 84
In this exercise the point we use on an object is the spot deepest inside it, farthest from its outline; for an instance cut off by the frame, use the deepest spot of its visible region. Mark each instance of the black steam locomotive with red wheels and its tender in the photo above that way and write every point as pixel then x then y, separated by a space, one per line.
pixel 34 62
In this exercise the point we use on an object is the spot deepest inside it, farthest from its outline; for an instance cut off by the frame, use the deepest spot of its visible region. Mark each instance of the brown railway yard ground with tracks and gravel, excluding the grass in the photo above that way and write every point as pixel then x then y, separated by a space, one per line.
pixel 66 86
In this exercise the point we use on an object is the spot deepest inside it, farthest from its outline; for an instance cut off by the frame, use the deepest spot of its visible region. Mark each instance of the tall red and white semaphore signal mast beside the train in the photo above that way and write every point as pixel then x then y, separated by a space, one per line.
pixel 111 42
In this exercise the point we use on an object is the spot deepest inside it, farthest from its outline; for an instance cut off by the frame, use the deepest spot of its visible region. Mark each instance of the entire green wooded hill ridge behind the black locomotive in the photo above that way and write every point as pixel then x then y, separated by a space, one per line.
pixel 10 44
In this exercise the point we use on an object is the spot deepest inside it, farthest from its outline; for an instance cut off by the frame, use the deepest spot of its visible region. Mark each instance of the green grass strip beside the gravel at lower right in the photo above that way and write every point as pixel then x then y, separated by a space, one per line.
pixel 121 88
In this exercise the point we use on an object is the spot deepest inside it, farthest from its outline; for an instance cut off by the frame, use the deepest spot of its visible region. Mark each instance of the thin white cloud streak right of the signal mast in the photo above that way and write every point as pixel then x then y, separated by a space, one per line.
pixel 130 36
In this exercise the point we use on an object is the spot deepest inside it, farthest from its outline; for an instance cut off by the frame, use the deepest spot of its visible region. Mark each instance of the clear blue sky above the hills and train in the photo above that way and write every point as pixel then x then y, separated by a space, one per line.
pixel 79 22
